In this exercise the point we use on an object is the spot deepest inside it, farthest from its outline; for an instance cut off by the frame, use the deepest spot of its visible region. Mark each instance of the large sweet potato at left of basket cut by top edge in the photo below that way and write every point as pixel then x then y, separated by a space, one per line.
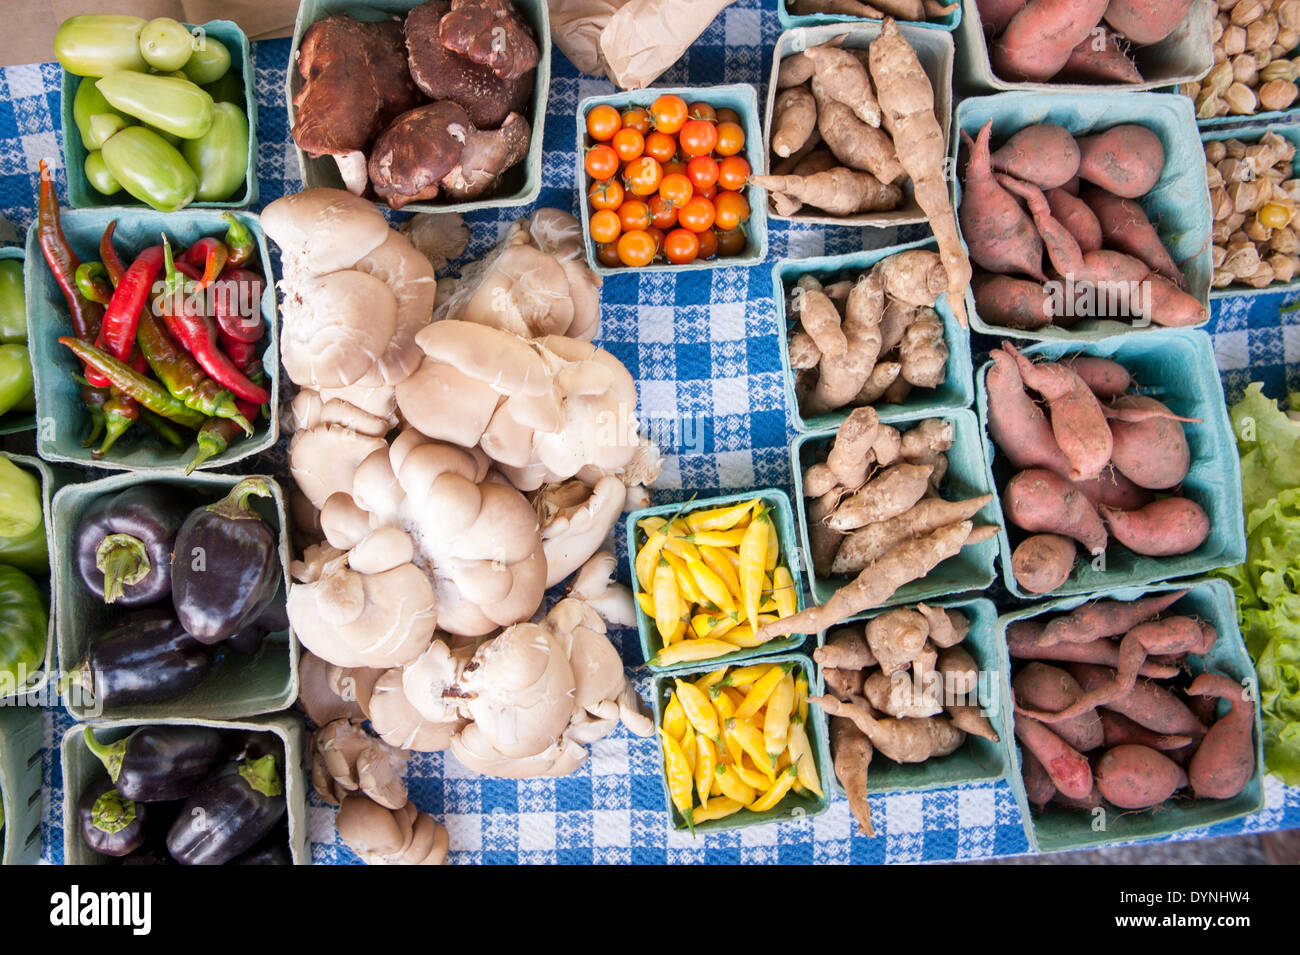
pixel 1038 42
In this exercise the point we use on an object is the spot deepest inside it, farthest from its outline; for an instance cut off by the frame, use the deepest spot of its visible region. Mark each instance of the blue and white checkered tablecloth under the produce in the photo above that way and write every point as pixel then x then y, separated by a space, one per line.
pixel 705 353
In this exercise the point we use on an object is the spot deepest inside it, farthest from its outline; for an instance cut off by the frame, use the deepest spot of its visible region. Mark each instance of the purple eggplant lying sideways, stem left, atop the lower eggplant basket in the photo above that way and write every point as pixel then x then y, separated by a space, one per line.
pixel 161 763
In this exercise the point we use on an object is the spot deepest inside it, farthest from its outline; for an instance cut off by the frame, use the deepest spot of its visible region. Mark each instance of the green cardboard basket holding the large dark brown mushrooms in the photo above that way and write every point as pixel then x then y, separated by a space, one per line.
pixel 519 186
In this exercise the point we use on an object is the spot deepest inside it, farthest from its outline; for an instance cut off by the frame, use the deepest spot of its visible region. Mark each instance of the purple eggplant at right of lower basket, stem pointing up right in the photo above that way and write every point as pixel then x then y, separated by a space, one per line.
pixel 232 811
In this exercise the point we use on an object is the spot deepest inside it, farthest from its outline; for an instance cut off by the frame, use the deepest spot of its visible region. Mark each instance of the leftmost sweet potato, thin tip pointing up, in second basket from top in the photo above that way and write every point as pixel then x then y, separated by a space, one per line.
pixel 1000 235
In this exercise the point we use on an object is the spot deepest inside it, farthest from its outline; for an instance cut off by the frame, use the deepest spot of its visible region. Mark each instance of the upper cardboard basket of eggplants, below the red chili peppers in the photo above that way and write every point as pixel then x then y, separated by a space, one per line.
pixel 237 687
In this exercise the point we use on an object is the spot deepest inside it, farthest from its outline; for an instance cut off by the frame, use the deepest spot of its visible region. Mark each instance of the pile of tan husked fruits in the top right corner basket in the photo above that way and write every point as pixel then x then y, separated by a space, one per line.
pixel 1255 64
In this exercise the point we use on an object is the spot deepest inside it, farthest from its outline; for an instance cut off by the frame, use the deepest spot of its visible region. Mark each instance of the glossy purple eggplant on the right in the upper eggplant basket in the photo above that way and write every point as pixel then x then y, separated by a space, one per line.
pixel 226 568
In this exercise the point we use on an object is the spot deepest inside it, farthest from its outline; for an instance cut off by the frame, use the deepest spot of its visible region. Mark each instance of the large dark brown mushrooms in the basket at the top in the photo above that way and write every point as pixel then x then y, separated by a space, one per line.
pixel 426 108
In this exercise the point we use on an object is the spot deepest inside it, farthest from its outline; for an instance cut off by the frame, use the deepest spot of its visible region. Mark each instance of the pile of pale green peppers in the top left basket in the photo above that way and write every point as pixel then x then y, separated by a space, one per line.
pixel 148 111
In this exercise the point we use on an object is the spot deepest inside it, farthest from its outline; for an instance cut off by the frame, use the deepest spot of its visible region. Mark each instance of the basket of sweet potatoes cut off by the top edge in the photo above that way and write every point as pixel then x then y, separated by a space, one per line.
pixel 1181 58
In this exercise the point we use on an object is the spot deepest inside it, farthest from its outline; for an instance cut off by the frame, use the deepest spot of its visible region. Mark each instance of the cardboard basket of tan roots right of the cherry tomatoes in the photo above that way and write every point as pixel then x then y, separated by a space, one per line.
pixel 935 53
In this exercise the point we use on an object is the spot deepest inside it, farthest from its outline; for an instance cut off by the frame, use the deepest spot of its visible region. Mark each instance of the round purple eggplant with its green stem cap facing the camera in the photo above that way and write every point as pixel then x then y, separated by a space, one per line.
pixel 124 544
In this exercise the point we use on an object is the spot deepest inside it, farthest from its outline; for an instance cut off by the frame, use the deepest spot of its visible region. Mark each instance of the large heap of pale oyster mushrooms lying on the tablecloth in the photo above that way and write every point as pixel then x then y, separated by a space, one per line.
pixel 460 446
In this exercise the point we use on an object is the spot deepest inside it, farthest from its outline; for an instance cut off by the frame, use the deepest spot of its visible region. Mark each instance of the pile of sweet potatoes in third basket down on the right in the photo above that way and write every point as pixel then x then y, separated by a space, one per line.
pixel 1100 466
